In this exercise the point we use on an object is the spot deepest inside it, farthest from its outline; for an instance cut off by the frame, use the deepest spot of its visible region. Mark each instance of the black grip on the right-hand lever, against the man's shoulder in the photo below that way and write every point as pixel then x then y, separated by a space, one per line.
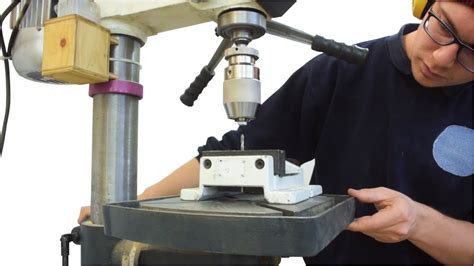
pixel 352 54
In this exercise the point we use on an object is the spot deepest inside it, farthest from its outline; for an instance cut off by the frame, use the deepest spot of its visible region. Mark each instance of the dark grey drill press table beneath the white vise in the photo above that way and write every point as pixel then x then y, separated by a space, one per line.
pixel 242 224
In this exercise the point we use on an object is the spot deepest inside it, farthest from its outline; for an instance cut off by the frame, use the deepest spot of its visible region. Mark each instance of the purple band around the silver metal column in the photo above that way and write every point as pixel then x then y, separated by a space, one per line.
pixel 117 86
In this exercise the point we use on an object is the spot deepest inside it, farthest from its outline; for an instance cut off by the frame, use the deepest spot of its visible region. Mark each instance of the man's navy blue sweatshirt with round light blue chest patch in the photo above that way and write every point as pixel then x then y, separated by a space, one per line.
pixel 366 127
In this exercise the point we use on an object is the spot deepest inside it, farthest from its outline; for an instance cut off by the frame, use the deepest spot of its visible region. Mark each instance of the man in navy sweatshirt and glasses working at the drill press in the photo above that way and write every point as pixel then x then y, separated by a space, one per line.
pixel 373 128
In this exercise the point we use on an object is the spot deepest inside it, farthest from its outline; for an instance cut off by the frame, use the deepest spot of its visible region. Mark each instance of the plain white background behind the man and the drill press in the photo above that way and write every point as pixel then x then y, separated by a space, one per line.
pixel 45 168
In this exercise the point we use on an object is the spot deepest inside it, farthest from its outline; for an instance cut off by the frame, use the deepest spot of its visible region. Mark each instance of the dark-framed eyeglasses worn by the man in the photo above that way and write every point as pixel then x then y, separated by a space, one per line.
pixel 443 35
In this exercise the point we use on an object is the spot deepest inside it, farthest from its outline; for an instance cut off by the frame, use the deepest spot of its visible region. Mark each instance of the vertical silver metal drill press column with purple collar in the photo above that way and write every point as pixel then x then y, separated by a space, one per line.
pixel 115 129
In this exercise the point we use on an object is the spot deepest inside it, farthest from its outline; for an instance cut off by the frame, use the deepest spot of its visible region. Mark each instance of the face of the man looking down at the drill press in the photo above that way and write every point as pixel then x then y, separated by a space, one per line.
pixel 434 65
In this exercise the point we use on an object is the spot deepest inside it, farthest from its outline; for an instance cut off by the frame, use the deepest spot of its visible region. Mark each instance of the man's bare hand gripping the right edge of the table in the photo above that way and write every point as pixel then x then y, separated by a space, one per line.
pixel 395 220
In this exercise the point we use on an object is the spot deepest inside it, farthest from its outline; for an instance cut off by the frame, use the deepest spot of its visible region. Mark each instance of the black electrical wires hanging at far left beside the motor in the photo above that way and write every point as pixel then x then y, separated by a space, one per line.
pixel 6 52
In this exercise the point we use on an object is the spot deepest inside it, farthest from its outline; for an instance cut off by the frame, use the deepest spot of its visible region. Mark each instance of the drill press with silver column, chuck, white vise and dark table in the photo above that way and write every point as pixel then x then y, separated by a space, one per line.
pixel 288 218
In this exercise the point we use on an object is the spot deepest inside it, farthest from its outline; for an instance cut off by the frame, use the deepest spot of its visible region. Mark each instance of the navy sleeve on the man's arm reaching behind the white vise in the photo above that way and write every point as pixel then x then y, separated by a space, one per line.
pixel 292 118
